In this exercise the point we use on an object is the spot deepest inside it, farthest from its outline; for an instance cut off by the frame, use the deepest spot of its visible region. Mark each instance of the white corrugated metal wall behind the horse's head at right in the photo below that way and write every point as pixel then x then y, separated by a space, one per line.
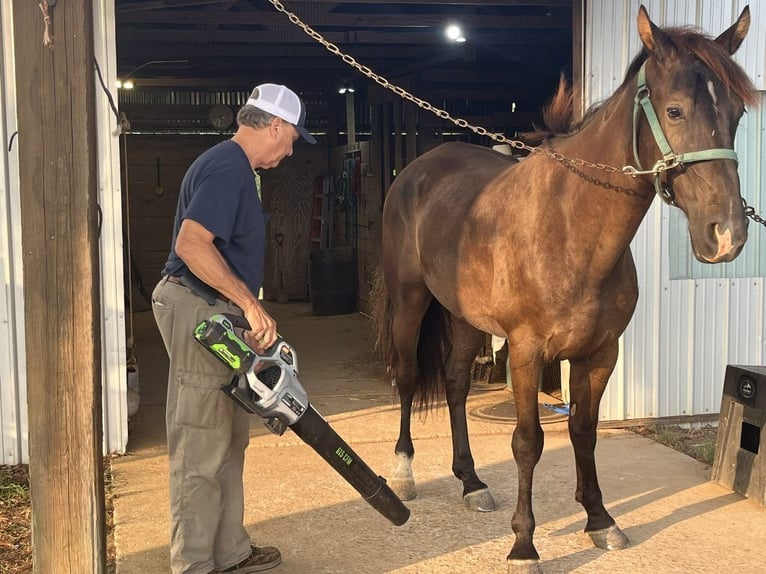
pixel 684 331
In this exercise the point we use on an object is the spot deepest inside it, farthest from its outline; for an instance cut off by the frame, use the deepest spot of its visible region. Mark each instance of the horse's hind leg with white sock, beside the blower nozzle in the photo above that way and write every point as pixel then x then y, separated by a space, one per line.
pixel 409 305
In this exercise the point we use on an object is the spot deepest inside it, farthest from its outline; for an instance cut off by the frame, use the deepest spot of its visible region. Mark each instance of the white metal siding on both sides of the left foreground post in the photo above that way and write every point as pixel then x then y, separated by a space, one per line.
pixel 13 397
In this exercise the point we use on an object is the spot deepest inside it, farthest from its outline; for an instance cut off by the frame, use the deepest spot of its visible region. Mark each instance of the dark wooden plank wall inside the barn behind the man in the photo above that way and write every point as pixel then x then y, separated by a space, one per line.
pixel 156 165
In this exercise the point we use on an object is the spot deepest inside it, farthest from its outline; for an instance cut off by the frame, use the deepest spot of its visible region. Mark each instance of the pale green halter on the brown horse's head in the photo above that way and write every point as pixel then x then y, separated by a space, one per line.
pixel 670 159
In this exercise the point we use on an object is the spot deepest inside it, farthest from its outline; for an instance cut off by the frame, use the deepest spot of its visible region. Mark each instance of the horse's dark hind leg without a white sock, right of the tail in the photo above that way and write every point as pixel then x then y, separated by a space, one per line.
pixel 466 342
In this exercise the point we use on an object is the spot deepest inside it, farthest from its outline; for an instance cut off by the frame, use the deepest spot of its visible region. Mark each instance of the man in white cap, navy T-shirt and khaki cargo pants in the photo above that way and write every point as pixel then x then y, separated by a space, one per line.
pixel 216 266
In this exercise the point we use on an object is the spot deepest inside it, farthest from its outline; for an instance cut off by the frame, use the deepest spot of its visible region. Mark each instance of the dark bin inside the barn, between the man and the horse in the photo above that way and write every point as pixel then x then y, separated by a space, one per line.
pixel 332 280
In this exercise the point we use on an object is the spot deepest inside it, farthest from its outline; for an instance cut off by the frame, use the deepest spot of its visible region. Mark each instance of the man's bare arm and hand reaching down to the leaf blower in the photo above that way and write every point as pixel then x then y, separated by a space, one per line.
pixel 194 245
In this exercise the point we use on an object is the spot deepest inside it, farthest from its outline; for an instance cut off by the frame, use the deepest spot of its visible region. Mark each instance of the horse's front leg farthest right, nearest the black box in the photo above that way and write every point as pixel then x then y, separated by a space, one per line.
pixel 587 383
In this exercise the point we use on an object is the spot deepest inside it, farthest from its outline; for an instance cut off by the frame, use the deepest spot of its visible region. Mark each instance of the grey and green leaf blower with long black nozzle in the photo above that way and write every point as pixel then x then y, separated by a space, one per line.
pixel 267 385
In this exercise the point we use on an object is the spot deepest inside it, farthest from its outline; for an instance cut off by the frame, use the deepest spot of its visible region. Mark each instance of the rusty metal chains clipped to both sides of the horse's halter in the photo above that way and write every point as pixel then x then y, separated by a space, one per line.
pixel 659 167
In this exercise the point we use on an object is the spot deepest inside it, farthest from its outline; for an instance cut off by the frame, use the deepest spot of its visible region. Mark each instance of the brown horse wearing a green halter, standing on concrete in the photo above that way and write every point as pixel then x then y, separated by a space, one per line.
pixel 470 242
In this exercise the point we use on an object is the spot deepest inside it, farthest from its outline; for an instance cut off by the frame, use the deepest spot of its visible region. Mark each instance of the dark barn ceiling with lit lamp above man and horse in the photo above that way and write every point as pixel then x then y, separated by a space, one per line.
pixel 513 53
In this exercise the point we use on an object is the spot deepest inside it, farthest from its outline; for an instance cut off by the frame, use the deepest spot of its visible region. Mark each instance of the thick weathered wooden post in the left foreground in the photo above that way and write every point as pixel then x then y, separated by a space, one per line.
pixel 58 180
